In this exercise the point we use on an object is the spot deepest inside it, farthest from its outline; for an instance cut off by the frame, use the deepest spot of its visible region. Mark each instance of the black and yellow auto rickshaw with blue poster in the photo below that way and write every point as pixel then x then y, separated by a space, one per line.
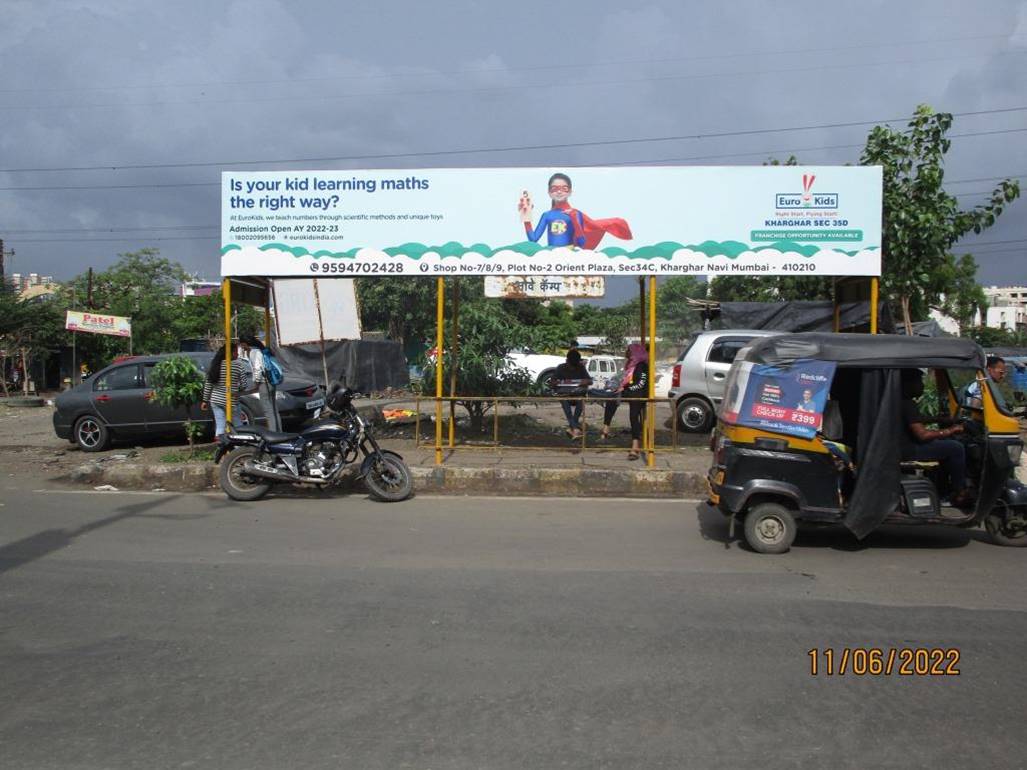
pixel 811 433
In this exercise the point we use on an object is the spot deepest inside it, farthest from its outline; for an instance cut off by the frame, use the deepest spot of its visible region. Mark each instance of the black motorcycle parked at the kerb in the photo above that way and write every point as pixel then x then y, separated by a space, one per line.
pixel 256 458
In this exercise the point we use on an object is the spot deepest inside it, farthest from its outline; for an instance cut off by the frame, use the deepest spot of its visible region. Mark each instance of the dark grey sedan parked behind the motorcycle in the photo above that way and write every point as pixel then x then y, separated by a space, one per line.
pixel 118 403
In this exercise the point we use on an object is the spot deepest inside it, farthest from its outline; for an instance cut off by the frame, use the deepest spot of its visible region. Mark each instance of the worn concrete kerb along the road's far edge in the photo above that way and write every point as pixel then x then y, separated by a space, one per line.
pixel 442 480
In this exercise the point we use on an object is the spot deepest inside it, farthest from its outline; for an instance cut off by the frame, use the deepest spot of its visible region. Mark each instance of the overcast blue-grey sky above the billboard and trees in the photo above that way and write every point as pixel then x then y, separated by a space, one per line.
pixel 156 99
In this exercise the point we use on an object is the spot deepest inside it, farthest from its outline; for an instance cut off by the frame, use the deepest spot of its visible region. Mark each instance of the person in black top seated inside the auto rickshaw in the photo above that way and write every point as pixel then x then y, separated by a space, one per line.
pixel 920 443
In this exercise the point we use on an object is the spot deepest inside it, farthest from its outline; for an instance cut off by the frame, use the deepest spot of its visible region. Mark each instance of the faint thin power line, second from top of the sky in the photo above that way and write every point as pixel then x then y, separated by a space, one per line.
pixel 499 89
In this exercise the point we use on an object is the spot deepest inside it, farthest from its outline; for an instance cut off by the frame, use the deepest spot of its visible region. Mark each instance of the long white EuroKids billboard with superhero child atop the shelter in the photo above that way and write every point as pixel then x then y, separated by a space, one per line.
pixel 594 221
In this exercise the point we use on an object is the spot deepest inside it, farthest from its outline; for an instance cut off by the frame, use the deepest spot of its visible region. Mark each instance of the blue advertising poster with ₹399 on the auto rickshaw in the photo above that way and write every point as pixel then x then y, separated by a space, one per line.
pixel 785 400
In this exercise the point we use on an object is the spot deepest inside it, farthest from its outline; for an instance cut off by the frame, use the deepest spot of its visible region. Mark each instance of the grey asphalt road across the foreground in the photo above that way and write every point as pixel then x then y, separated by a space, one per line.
pixel 155 631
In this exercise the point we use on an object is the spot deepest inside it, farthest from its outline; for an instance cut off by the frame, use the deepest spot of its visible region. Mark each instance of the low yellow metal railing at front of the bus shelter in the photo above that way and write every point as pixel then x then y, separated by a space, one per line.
pixel 445 428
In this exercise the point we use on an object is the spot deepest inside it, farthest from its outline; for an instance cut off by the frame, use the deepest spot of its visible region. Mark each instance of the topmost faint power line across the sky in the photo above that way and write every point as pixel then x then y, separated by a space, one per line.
pixel 513 70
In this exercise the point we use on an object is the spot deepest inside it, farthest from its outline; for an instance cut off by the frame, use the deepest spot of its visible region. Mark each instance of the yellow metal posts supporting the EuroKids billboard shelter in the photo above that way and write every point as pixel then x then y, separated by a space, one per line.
pixel 257 291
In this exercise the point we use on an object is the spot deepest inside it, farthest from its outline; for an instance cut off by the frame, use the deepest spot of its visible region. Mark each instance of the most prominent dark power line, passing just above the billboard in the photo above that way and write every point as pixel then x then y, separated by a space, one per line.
pixel 513 148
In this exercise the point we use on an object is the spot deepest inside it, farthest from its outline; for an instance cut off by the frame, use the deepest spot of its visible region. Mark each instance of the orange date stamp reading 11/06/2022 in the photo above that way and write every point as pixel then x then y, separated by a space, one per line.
pixel 882 662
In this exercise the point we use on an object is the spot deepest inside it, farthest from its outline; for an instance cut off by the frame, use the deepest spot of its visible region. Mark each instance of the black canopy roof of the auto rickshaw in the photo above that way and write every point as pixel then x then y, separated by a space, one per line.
pixel 878 352
